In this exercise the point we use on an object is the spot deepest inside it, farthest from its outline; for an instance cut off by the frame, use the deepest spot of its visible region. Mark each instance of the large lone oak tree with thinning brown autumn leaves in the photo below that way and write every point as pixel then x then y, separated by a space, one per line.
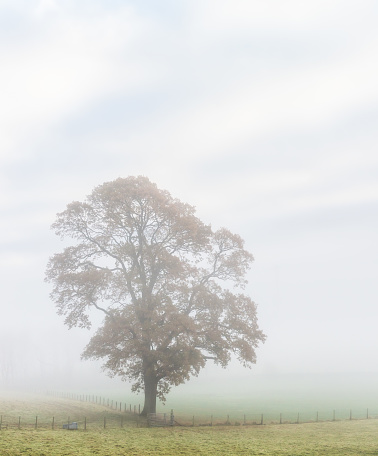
pixel 169 286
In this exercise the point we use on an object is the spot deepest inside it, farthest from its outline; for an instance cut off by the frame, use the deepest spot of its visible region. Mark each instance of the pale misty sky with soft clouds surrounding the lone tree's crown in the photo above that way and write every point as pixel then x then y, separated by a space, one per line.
pixel 262 114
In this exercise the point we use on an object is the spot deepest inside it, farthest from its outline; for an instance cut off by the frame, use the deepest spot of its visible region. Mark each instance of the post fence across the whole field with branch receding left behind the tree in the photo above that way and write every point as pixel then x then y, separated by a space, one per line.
pixel 120 412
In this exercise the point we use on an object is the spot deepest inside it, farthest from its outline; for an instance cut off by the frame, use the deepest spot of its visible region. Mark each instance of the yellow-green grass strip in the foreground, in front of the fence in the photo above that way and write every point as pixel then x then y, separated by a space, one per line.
pixel 335 438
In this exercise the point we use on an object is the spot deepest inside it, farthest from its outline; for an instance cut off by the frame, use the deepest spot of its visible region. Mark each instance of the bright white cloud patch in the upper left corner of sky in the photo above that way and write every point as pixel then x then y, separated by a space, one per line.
pixel 66 65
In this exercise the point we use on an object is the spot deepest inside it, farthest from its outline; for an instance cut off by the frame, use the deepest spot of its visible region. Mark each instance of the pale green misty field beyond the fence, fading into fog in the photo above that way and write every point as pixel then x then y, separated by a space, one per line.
pixel 271 395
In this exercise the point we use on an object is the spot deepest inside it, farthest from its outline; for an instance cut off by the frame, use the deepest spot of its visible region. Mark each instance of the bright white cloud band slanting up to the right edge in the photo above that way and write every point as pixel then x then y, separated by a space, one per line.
pixel 296 100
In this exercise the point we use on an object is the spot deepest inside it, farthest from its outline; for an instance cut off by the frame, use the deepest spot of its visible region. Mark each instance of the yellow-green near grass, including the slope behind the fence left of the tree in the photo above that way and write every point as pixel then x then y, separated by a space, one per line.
pixel 355 437
